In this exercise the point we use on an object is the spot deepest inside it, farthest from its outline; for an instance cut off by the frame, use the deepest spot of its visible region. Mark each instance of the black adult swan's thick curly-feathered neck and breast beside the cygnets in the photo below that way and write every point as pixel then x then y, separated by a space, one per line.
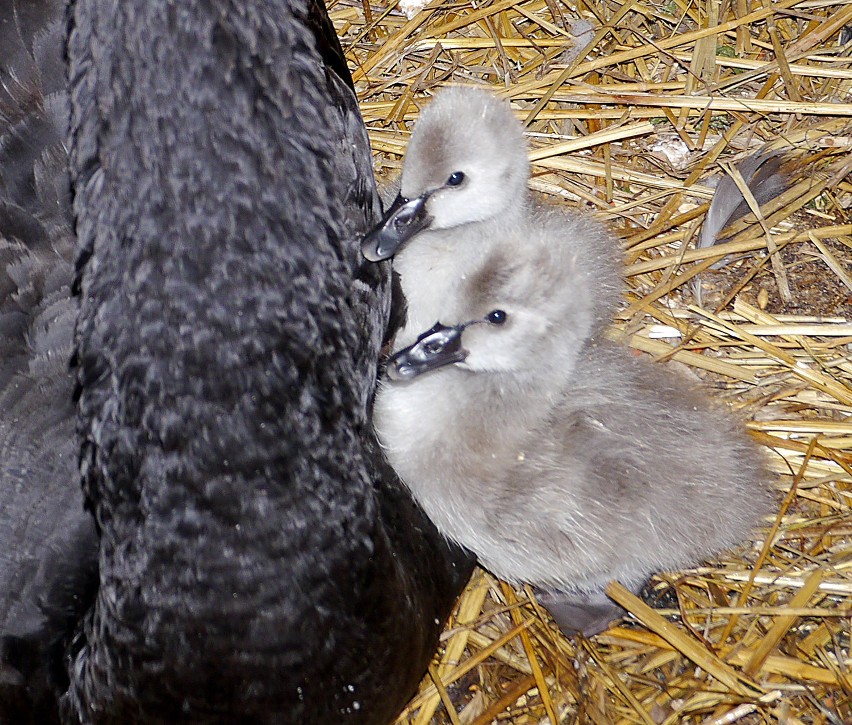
pixel 257 560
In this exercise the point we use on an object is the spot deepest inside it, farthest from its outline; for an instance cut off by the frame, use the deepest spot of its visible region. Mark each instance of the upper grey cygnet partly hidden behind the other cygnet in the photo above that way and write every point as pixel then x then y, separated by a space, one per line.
pixel 464 188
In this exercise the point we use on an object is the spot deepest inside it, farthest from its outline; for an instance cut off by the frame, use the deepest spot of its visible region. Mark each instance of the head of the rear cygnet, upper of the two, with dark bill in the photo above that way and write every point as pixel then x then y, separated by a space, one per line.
pixel 466 163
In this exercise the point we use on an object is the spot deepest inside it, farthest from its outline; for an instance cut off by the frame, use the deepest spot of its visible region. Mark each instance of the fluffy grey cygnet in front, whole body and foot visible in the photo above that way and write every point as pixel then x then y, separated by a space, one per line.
pixel 560 461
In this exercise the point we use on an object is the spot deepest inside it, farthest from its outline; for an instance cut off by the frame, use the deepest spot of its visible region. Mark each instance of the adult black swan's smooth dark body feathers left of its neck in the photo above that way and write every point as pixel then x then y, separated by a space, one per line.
pixel 48 545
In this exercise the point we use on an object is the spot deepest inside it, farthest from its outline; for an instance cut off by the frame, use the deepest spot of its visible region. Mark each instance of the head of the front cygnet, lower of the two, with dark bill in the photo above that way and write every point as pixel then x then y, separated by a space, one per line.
pixel 522 317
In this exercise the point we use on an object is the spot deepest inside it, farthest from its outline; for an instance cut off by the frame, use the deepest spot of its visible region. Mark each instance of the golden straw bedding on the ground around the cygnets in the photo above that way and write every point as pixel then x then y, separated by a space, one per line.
pixel 632 110
